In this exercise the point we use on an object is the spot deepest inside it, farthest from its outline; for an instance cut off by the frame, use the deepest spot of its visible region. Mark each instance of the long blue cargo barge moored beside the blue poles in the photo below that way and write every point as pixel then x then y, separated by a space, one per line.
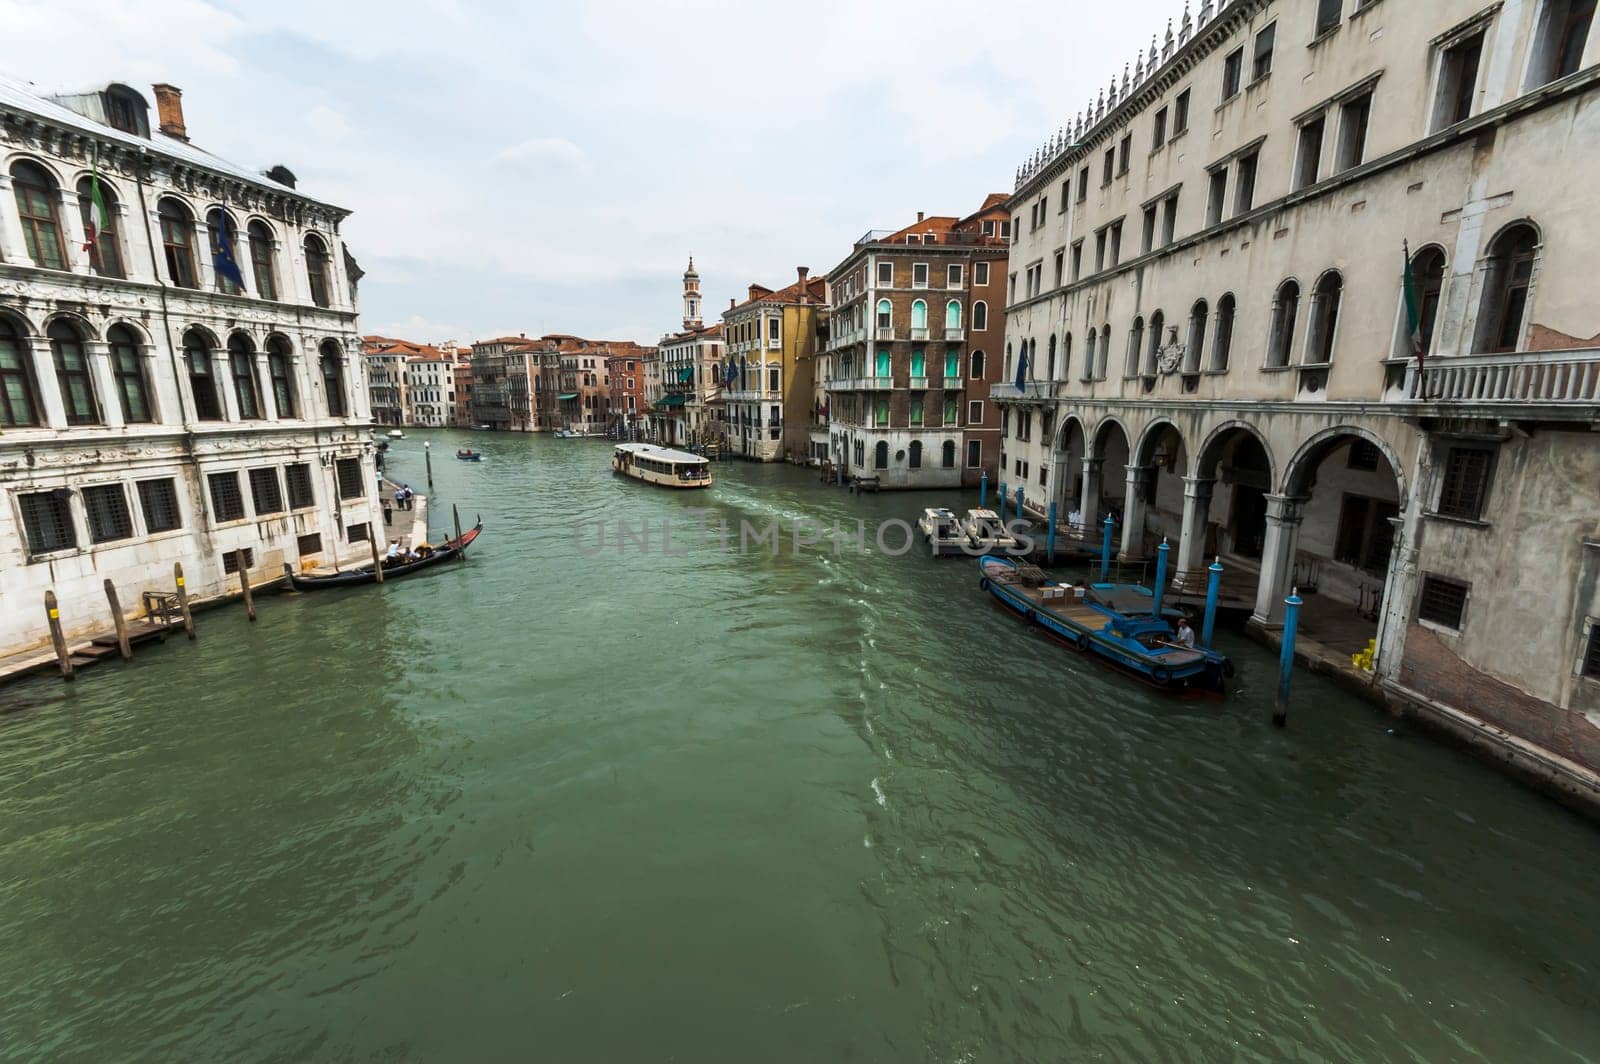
pixel 1142 646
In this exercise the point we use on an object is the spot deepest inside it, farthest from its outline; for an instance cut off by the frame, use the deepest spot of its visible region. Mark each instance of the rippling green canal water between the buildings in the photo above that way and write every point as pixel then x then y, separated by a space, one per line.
pixel 564 807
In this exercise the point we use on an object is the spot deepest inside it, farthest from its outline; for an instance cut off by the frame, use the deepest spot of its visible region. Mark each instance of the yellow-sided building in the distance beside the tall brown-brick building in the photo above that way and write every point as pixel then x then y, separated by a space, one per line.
pixel 769 370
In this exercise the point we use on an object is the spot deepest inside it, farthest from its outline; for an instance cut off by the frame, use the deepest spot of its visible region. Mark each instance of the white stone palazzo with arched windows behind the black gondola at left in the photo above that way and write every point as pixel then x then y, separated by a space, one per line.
pixel 154 410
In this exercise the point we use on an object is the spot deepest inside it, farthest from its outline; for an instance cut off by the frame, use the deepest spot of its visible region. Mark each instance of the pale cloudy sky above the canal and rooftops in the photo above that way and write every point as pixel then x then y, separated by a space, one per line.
pixel 551 167
